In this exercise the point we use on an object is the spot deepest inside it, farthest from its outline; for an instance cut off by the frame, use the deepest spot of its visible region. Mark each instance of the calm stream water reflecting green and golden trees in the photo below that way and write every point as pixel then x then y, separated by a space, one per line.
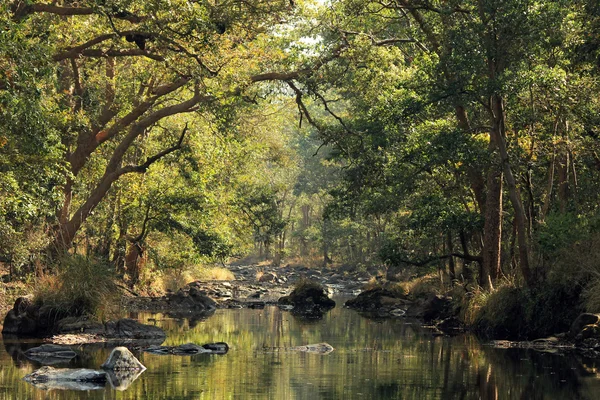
pixel 390 359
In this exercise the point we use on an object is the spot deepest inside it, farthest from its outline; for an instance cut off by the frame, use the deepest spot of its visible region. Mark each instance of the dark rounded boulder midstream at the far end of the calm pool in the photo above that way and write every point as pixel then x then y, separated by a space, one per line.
pixel 308 299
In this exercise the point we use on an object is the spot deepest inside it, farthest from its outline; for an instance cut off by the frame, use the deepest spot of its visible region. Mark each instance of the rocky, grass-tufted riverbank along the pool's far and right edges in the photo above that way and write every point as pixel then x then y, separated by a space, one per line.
pixel 509 313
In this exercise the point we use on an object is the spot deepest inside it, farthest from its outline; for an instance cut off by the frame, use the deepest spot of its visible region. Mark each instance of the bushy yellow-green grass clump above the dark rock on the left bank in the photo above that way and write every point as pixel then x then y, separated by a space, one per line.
pixel 80 286
